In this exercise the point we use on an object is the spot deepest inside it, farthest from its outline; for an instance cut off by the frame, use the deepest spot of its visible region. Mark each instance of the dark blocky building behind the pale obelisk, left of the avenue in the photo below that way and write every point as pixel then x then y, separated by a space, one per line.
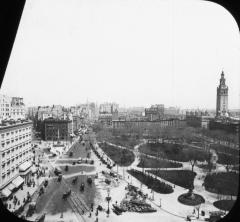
pixel 56 129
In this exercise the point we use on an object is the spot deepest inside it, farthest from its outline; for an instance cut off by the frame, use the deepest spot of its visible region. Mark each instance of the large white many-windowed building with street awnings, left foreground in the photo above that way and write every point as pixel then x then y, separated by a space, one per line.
pixel 15 154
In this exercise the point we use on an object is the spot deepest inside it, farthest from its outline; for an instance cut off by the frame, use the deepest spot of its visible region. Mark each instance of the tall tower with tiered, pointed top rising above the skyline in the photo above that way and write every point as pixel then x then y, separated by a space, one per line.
pixel 222 97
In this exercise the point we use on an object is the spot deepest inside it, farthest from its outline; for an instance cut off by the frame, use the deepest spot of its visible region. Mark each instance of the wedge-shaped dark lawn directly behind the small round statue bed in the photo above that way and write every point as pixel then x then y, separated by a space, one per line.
pixel 182 178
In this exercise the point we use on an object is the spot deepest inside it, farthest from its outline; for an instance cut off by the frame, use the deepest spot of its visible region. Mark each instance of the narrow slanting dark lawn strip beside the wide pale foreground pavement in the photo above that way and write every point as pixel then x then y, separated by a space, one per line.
pixel 152 183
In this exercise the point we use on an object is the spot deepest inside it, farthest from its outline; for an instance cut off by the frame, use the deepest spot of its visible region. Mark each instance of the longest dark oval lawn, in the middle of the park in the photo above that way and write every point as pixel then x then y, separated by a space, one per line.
pixel 172 151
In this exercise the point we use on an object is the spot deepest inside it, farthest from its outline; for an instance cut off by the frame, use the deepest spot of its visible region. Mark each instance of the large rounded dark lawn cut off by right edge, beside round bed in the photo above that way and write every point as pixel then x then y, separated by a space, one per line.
pixel 225 183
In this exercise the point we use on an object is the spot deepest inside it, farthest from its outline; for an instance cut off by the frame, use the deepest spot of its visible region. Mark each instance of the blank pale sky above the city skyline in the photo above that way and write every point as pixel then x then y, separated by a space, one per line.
pixel 133 52
